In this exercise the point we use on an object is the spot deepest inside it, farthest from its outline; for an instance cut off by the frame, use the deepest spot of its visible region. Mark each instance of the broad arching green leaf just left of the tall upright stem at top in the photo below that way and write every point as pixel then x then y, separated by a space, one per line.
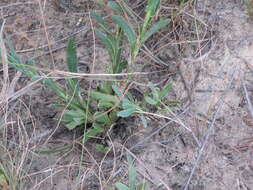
pixel 128 31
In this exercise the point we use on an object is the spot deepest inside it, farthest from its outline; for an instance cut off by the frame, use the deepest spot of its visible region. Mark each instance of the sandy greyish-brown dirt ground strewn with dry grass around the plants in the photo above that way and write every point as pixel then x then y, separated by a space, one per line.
pixel 209 146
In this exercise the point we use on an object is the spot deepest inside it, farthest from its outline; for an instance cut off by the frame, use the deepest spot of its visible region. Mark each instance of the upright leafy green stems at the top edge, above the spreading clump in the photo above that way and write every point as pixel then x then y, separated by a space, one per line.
pixel 136 38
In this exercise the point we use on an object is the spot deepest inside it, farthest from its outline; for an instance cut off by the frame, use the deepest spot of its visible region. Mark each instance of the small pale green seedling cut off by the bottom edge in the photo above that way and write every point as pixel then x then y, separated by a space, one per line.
pixel 132 181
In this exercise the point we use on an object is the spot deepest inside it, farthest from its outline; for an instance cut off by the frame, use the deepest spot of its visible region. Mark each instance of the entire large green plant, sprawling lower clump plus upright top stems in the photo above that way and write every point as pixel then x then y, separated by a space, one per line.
pixel 107 103
